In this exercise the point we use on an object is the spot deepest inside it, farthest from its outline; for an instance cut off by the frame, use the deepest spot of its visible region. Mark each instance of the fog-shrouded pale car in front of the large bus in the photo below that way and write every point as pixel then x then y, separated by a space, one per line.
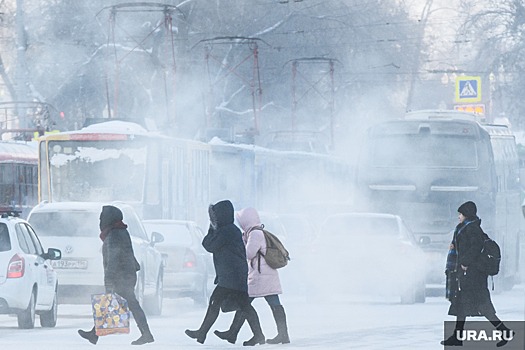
pixel 369 254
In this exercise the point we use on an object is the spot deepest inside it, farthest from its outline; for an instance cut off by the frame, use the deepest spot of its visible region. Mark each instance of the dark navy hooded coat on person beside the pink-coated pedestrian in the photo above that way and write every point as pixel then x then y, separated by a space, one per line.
pixel 224 241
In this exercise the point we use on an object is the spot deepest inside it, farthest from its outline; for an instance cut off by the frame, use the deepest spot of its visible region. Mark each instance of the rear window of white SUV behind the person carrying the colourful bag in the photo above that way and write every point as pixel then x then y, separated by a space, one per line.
pixel 66 223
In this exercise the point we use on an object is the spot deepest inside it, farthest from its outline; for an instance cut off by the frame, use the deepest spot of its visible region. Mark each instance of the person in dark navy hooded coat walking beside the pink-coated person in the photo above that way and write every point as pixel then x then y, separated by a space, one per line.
pixel 224 241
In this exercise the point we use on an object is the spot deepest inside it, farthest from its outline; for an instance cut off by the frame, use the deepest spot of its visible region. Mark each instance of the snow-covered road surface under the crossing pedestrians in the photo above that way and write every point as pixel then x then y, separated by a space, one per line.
pixel 358 322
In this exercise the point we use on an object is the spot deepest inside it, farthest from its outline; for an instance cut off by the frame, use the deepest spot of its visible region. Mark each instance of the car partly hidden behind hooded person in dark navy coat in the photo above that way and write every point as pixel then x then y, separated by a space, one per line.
pixel 189 270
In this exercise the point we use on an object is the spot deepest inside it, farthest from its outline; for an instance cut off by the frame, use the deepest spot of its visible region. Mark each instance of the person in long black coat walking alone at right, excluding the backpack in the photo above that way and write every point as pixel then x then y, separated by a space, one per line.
pixel 467 286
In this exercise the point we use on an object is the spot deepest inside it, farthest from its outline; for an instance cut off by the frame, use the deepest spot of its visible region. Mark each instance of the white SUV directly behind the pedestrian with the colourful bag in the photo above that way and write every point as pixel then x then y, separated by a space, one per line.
pixel 74 228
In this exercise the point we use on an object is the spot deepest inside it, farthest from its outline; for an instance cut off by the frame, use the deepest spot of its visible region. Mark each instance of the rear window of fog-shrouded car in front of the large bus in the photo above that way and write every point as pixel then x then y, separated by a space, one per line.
pixel 362 225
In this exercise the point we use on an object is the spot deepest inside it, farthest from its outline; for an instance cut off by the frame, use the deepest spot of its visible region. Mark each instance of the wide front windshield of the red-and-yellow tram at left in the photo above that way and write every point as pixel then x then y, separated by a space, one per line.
pixel 102 170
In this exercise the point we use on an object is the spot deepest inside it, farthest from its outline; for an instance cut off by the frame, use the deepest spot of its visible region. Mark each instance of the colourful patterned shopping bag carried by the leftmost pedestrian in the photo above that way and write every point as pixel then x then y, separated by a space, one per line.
pixel 110 314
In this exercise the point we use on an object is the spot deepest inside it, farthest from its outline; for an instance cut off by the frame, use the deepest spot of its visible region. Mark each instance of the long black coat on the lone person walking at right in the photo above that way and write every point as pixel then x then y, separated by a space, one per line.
pixel 472 294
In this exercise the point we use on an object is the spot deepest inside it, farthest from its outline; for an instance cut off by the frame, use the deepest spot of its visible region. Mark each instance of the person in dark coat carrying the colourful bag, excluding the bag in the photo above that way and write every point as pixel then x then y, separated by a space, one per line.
pixel 120 270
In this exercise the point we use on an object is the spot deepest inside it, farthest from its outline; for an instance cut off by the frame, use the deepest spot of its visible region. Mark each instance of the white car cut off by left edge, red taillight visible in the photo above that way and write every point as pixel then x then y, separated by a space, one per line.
pixel 28 282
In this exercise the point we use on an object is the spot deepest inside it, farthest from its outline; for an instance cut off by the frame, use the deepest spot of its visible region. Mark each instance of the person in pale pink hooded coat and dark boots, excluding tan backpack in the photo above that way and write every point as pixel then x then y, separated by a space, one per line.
pixel 263 280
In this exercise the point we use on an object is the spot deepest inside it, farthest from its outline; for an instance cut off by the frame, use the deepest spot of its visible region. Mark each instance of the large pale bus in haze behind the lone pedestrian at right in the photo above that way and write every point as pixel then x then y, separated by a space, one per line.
pixel 424 166
